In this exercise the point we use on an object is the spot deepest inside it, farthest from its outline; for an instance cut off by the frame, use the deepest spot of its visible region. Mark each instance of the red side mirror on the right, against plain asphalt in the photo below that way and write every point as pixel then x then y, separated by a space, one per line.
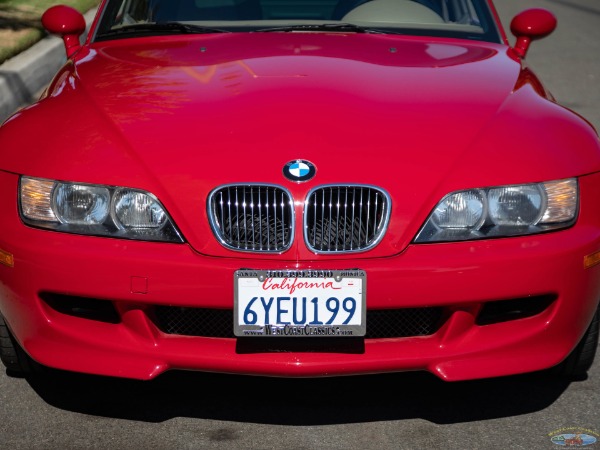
pixel 530 25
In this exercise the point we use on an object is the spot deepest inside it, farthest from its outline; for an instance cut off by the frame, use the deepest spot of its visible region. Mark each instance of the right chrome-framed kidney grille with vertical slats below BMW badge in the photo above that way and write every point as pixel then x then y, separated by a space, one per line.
pixel 341 219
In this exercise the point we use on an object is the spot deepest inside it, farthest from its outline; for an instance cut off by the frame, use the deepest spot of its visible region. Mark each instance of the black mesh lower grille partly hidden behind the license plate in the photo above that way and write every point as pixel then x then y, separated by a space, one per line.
pixel 393 323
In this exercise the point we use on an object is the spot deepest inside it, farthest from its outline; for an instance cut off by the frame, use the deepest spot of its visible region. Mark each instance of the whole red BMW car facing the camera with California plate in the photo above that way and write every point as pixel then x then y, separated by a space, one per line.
pixel 299 188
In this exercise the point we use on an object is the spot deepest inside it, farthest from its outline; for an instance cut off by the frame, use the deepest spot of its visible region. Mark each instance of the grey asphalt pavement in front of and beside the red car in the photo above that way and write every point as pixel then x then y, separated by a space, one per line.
pixel 396 411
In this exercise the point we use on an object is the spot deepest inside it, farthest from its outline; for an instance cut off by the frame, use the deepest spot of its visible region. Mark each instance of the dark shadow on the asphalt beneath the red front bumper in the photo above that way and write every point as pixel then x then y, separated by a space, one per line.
pixel 300 402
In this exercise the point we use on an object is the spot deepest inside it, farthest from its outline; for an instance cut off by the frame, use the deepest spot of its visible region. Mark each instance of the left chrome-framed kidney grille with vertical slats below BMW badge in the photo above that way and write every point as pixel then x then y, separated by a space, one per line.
pixel 254 218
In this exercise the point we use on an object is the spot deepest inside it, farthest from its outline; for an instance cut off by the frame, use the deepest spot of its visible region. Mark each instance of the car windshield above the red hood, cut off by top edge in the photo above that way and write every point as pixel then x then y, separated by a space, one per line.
pixel 468 19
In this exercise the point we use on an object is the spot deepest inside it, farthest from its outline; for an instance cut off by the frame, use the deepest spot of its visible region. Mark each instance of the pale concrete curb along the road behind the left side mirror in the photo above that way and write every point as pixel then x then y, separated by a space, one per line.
pixel 25 75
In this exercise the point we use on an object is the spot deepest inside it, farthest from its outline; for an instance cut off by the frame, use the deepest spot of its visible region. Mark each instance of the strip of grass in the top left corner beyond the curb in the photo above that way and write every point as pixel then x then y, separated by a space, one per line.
pixel 20 25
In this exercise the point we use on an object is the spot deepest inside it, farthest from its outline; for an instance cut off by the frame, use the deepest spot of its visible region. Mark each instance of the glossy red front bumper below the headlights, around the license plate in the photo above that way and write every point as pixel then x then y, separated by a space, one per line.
pixel 136 277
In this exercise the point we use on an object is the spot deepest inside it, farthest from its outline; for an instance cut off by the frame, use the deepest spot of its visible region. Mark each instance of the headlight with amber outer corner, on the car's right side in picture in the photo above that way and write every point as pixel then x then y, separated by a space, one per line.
pixel 502 211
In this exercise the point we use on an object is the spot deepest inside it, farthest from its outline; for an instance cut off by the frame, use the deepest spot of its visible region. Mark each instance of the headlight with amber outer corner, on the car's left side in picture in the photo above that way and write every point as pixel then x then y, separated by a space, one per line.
pixel 95 210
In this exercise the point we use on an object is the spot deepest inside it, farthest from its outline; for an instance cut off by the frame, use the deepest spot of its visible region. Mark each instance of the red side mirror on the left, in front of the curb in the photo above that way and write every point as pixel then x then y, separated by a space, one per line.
pixel 66 22
